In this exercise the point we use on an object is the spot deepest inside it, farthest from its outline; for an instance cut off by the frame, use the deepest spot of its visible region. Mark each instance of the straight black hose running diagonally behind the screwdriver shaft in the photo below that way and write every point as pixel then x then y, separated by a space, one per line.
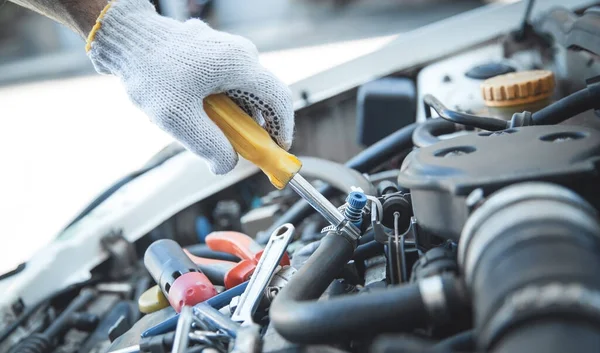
pixel 363 162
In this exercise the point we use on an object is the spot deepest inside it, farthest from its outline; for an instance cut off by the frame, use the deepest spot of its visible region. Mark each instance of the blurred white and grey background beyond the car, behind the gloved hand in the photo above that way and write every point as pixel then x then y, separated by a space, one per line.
pixel 67 133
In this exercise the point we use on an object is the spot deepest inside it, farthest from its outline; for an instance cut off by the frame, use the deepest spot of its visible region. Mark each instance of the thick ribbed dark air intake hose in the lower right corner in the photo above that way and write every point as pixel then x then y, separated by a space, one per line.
pixel 530 255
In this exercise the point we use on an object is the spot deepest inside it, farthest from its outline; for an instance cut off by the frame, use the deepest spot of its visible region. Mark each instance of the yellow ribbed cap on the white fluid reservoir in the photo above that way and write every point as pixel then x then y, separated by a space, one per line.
pixel 517 88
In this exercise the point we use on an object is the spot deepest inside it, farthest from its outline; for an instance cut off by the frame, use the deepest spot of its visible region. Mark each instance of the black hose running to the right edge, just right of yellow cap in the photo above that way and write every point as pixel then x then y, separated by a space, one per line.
pixel 568 107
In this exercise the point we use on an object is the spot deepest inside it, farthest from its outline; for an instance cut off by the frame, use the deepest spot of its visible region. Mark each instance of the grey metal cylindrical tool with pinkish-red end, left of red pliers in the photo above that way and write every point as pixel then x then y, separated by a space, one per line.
pixel 179 278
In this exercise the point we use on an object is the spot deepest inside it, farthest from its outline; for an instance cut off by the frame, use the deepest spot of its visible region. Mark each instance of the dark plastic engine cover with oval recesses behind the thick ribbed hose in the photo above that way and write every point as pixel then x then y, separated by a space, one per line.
pixel 441 176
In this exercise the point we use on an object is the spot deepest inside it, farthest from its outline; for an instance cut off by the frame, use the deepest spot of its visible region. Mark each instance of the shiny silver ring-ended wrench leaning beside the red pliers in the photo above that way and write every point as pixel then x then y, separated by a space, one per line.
pixel 265 269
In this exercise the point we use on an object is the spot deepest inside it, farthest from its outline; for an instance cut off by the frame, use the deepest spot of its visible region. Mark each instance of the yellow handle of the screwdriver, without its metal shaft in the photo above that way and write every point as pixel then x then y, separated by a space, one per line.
pixel 251 141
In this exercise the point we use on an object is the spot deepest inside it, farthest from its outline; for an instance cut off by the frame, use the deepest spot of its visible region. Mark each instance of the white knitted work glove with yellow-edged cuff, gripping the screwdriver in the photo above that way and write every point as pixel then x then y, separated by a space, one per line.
pixel 168 68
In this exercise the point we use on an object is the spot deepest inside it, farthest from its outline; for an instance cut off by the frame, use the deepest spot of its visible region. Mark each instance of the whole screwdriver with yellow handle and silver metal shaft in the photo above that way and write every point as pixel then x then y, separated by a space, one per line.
pixel 253 143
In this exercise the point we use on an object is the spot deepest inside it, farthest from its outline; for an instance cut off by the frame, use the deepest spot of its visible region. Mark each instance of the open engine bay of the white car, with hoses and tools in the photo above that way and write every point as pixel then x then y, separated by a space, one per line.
pixel 474 201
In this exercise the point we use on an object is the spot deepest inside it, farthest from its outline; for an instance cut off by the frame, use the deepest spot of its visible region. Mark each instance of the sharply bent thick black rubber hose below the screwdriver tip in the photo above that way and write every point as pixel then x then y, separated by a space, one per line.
pixel 300 318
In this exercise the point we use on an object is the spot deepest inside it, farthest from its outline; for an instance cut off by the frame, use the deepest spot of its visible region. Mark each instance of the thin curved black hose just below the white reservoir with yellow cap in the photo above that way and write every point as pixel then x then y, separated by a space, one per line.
pixel 480 122
